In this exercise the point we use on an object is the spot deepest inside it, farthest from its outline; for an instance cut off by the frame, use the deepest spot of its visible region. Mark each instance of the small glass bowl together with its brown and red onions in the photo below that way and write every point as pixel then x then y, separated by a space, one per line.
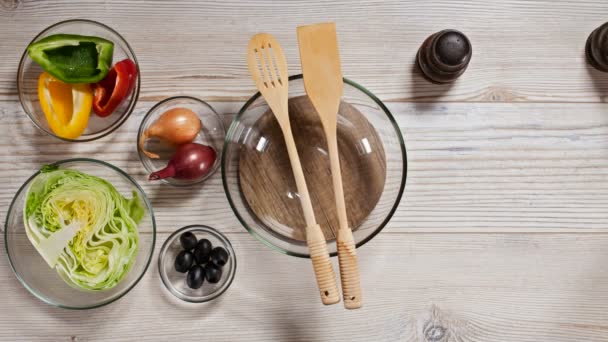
pixel 180 141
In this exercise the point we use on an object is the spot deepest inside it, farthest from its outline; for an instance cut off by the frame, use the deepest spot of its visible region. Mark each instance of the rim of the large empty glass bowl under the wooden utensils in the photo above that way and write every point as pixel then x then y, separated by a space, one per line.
pixel 269 243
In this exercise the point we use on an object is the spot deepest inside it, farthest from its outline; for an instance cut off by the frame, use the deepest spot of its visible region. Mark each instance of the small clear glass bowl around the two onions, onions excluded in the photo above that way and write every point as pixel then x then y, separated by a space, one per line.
pixel 212 134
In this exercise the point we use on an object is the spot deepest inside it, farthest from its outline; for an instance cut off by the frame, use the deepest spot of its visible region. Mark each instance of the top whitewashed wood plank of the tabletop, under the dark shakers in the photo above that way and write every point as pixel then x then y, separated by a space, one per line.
pixel 523 51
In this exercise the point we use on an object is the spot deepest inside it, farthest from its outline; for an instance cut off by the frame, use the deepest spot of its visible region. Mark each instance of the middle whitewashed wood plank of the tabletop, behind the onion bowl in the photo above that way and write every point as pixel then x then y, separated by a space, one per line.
pixel 472 167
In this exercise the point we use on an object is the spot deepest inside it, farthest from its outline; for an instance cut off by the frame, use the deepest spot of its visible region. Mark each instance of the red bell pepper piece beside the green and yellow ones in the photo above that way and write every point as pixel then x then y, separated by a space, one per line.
pixel 115 88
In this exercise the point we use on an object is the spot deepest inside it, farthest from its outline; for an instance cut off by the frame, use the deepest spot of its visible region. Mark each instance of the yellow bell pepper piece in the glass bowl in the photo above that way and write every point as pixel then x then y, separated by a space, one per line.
pixel 67 107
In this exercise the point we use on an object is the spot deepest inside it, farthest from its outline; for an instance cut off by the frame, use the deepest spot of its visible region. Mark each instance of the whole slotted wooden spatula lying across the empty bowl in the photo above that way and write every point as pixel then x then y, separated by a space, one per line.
pixel 268 68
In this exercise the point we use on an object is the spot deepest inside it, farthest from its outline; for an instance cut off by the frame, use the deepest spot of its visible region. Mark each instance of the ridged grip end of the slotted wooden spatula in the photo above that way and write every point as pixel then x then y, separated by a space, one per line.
pixel 324 271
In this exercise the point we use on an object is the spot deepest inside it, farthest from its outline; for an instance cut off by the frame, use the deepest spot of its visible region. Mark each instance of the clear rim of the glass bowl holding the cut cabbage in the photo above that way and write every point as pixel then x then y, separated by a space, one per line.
pixel 146 201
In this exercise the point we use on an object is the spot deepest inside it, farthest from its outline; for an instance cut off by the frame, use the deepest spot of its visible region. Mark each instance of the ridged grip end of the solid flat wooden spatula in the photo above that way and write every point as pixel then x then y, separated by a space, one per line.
pixel 349 269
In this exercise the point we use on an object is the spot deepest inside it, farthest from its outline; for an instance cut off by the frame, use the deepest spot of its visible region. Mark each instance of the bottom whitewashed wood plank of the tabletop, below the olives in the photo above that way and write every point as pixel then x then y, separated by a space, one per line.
pixel 464 287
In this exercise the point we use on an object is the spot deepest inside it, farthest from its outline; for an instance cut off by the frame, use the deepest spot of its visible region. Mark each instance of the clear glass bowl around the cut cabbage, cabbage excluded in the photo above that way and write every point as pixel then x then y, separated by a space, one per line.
pixel 44 282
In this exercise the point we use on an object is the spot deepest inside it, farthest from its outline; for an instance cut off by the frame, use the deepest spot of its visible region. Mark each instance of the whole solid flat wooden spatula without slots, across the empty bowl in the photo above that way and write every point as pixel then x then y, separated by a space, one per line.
pixel 323 83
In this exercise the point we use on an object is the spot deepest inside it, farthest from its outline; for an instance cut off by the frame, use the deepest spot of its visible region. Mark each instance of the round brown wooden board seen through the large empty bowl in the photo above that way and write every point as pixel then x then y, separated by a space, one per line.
pixel 268 186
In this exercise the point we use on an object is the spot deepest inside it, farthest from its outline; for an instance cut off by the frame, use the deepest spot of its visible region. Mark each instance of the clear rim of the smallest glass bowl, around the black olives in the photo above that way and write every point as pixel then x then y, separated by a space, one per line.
pixel 219 236
